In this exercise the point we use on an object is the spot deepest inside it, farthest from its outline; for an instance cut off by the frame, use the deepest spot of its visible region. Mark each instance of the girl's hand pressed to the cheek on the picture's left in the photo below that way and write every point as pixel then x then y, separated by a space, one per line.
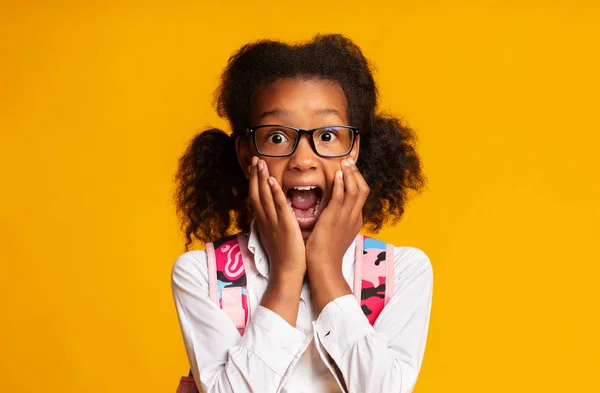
pixel 278 228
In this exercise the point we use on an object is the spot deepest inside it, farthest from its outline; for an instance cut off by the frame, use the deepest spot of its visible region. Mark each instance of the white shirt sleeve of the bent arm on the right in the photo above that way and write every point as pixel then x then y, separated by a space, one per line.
pixel 385 357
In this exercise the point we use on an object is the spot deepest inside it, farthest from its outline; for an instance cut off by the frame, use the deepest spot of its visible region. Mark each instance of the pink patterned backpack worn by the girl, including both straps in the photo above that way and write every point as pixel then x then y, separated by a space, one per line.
pixel 228 260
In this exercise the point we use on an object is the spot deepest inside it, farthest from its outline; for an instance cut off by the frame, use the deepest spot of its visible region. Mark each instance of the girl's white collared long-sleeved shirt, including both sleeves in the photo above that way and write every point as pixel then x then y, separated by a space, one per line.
pixel 273 356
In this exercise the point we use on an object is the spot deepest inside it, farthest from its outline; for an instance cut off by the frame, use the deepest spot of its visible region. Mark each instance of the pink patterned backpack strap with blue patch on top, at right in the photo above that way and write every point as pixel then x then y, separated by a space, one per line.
pixel 373 275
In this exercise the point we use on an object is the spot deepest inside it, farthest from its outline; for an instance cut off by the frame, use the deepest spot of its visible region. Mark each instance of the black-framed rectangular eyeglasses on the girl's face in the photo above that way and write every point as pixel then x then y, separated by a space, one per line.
pixel 282 141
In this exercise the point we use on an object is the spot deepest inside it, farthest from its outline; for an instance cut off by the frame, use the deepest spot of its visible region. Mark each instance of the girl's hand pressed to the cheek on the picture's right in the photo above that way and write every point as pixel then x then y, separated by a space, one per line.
pixel 340 221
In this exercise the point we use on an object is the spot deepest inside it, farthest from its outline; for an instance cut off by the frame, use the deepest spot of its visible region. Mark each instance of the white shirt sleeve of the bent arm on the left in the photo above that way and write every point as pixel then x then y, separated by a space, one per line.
pixel 220 359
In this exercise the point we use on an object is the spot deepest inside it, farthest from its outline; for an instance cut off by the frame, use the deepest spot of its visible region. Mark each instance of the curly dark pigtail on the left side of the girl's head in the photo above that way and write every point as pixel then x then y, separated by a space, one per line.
pixel 211 188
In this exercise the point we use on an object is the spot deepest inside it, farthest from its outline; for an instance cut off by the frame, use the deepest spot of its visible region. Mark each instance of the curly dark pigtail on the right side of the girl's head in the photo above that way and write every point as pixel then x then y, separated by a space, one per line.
pixel 391 166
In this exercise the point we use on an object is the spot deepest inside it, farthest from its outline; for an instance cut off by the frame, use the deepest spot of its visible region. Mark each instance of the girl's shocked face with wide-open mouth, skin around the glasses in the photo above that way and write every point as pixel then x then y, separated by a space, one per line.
pixel 305 104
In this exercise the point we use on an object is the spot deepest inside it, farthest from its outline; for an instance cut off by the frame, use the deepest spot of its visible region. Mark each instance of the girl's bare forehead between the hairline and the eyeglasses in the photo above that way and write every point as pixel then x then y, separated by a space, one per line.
pixel 299 100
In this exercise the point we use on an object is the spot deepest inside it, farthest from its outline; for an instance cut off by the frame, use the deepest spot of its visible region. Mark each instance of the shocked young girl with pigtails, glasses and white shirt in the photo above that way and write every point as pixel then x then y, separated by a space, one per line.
pixel 308 162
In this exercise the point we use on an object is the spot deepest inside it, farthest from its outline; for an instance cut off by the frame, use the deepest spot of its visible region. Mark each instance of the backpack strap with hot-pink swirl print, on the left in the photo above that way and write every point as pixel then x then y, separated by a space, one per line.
pixel 228 260
